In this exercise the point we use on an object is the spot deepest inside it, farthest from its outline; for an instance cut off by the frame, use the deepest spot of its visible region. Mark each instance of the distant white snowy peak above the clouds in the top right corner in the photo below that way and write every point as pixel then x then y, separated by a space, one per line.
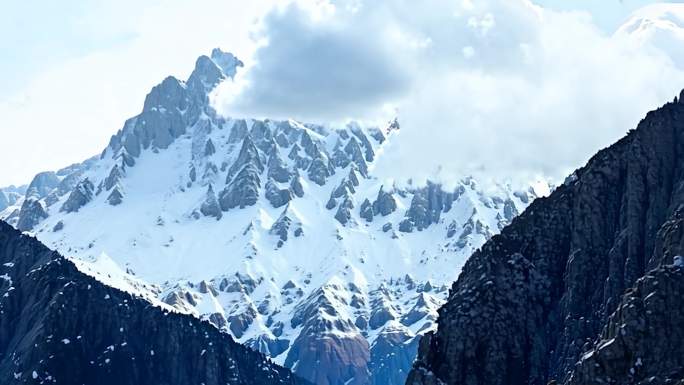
pixel 658 26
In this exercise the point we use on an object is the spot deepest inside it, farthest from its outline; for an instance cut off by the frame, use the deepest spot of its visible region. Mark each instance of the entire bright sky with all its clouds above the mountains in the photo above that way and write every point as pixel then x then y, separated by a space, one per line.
pixel 496 80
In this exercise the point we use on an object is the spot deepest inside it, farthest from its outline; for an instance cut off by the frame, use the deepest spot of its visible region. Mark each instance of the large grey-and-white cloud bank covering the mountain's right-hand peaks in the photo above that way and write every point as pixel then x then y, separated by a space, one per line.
pixel 501 87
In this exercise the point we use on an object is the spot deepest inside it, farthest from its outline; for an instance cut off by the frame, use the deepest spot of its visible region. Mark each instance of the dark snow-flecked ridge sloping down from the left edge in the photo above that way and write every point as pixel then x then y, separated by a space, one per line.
pixel 60 326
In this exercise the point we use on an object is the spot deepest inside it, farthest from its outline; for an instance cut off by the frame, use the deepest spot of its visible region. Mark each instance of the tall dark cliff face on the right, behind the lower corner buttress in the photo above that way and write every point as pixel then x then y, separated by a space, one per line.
pixel 534 298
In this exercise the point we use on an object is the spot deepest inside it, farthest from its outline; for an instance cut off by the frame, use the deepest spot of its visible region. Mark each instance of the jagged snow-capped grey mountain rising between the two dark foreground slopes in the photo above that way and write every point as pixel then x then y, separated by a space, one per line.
pixel 275 231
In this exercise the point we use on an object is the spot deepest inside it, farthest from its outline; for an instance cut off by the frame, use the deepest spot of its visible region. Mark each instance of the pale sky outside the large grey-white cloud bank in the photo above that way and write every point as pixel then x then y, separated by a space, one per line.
pixel 74 71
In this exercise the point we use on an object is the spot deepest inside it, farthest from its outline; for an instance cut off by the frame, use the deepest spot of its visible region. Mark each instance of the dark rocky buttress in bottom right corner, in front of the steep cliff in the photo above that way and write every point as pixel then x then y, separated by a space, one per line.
pixel 642 342
